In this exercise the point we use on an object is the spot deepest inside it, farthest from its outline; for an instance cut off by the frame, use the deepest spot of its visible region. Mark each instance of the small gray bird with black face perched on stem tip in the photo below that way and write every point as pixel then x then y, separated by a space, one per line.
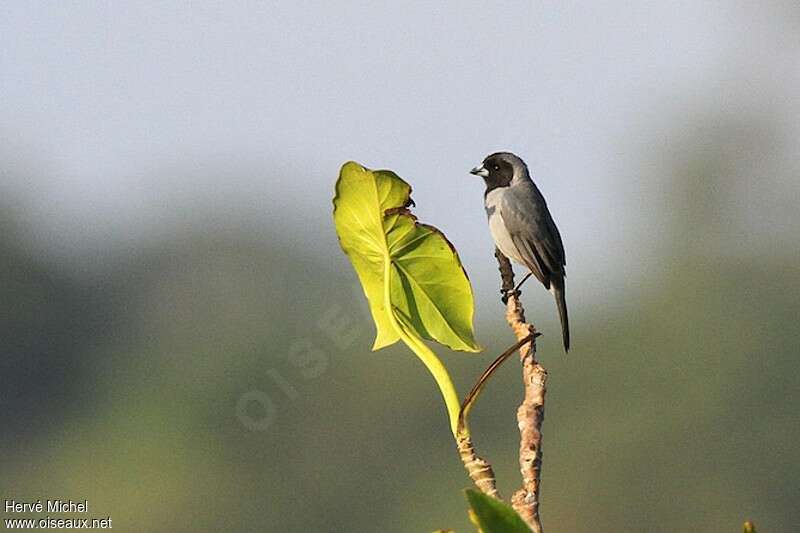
pixel 522 227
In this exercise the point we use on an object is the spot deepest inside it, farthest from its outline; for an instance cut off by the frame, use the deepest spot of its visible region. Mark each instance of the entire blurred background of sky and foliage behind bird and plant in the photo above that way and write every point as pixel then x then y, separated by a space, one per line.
pixel 185 346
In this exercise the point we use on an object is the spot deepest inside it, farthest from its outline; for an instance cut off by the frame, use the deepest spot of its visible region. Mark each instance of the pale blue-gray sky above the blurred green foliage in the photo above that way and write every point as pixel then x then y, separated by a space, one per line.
pixel 120 121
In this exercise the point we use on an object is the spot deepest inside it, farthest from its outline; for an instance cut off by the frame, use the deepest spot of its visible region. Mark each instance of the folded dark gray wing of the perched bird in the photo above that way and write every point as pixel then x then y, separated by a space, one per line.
pixel 534 233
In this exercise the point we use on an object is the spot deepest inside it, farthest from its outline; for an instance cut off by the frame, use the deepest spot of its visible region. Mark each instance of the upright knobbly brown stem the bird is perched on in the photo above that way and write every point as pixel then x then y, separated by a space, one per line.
pixel 530 414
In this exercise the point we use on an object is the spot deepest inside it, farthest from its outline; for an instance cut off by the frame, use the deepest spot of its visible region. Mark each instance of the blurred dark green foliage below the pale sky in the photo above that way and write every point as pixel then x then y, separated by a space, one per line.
pixel 123 384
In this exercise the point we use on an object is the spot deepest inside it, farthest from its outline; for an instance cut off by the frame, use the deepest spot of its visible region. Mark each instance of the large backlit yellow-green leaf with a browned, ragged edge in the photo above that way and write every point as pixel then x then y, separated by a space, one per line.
pixel 409 271
